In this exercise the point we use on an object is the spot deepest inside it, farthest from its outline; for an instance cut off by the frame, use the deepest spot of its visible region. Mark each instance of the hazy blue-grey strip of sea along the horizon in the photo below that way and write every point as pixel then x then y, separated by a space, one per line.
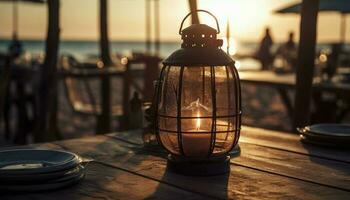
pixel 85 49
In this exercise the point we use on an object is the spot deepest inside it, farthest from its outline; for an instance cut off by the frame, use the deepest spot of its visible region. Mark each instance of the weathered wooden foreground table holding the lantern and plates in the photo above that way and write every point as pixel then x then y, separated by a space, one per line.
pixel 272 165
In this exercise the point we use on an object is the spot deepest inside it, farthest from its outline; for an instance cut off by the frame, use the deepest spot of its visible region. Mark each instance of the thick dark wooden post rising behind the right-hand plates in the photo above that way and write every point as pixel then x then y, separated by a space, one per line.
pixel 306 57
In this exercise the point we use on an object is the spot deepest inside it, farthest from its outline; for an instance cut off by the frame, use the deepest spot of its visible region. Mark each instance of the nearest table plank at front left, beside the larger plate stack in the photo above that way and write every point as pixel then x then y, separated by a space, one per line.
pixel 104 182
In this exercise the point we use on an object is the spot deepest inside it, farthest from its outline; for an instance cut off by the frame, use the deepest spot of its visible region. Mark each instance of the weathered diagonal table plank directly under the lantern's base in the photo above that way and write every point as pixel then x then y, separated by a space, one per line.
pixel 262 184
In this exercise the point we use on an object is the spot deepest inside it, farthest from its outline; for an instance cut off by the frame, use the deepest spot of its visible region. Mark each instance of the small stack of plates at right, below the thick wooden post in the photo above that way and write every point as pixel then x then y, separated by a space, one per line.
pixel 335 135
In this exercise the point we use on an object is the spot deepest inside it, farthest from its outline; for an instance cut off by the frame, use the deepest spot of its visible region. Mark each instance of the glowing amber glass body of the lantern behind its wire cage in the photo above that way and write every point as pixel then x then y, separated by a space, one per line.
pixel 202 114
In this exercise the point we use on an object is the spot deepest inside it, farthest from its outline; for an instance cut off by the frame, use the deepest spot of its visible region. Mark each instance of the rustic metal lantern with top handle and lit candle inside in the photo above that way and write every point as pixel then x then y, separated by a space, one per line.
pixel 198 108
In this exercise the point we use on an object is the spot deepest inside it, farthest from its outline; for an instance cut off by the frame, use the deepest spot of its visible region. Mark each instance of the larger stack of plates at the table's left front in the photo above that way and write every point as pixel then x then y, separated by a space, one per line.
pixel 36 170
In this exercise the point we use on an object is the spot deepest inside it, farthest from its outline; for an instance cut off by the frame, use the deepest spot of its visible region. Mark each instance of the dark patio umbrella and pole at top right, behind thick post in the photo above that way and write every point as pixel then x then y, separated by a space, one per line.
pixel 341 6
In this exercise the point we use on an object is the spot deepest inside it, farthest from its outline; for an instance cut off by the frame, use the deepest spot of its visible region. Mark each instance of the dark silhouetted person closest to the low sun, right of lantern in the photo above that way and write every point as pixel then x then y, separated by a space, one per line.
pixel 264 53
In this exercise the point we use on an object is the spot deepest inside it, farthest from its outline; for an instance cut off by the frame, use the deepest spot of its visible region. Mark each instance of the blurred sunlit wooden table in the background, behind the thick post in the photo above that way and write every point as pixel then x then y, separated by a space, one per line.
pixel 285 82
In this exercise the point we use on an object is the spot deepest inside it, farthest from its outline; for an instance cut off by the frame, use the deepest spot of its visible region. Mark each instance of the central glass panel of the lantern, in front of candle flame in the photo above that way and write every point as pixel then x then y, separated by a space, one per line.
pixel 196 111
